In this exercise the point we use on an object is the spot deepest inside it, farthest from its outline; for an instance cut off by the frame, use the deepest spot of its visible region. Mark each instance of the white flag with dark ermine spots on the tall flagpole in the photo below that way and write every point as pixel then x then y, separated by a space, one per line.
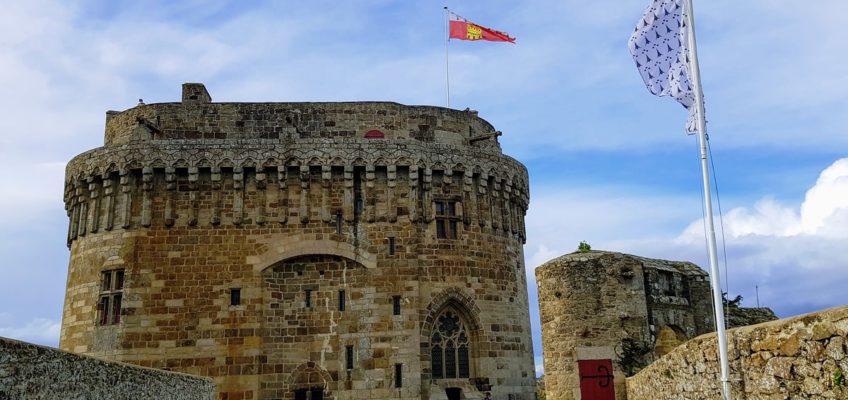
pixel 660 48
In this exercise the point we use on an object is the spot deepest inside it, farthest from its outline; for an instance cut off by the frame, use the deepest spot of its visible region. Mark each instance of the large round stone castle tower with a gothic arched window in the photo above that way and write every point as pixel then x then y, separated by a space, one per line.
pixel 303 250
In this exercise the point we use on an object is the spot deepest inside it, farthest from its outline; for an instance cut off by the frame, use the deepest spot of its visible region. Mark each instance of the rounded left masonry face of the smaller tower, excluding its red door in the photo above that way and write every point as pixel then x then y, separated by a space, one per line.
pixel 588 302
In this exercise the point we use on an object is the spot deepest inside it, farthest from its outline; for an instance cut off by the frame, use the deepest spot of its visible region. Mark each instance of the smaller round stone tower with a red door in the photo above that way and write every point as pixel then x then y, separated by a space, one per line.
pixel 595 306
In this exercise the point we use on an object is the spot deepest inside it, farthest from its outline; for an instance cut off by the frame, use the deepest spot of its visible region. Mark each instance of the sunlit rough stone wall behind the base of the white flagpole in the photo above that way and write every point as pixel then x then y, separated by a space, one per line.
pixel 803 357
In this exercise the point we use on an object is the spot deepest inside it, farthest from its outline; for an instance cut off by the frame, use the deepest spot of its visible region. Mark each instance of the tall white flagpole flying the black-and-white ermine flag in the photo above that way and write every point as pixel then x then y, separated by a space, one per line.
pixel 715 280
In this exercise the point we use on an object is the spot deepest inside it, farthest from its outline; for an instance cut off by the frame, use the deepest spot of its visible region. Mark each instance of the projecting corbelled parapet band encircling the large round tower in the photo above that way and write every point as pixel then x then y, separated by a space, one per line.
pixel 491 187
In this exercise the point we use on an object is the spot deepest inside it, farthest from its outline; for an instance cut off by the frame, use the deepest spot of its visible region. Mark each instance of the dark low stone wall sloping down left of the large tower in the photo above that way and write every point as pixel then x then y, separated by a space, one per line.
pixel 28 371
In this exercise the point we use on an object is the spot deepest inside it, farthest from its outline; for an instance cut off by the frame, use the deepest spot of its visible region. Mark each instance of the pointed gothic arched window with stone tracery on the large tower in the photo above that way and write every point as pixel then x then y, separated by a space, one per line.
pixel 449 353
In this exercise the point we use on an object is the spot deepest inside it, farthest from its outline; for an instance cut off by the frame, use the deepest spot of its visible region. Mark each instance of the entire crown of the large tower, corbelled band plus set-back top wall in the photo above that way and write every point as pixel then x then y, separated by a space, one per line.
pixel 159 159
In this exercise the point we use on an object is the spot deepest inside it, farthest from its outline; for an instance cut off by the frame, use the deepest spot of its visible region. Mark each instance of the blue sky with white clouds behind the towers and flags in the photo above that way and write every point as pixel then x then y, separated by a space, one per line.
pixel 609 163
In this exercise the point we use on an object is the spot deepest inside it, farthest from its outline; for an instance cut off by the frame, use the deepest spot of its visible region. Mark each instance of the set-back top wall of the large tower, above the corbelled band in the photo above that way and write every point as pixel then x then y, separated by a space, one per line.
pixel 197 118
